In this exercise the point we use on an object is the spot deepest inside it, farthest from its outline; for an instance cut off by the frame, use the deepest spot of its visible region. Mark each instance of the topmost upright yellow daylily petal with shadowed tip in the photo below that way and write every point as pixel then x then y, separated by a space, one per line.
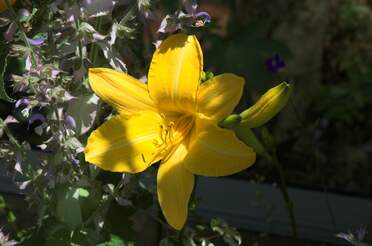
pixel 175 72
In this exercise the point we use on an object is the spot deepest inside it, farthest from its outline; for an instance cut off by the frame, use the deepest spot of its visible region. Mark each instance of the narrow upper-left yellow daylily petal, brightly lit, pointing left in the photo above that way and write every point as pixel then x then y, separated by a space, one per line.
pixel 125 93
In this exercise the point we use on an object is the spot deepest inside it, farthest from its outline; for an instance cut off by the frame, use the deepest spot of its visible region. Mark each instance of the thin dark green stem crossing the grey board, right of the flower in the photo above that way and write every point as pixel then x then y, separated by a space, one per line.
pixel 287 199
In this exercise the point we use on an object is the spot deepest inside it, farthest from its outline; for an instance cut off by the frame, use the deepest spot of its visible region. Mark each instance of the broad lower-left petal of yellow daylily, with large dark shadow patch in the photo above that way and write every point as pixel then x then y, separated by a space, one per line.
pixel 125 145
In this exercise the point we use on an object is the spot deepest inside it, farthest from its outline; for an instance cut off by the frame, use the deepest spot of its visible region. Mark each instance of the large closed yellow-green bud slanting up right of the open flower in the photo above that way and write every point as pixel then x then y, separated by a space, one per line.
pixel 271 103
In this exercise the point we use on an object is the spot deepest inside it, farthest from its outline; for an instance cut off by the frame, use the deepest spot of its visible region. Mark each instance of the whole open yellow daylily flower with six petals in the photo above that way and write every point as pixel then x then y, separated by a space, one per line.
pixel 174 120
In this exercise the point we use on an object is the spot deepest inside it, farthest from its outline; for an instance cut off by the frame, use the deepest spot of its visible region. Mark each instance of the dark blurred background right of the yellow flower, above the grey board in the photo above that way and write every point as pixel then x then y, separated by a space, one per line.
pixel 323 137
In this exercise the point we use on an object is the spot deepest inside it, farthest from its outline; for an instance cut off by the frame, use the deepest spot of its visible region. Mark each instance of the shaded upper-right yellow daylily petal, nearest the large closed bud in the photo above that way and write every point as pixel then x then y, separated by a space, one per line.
pixel 218 96
